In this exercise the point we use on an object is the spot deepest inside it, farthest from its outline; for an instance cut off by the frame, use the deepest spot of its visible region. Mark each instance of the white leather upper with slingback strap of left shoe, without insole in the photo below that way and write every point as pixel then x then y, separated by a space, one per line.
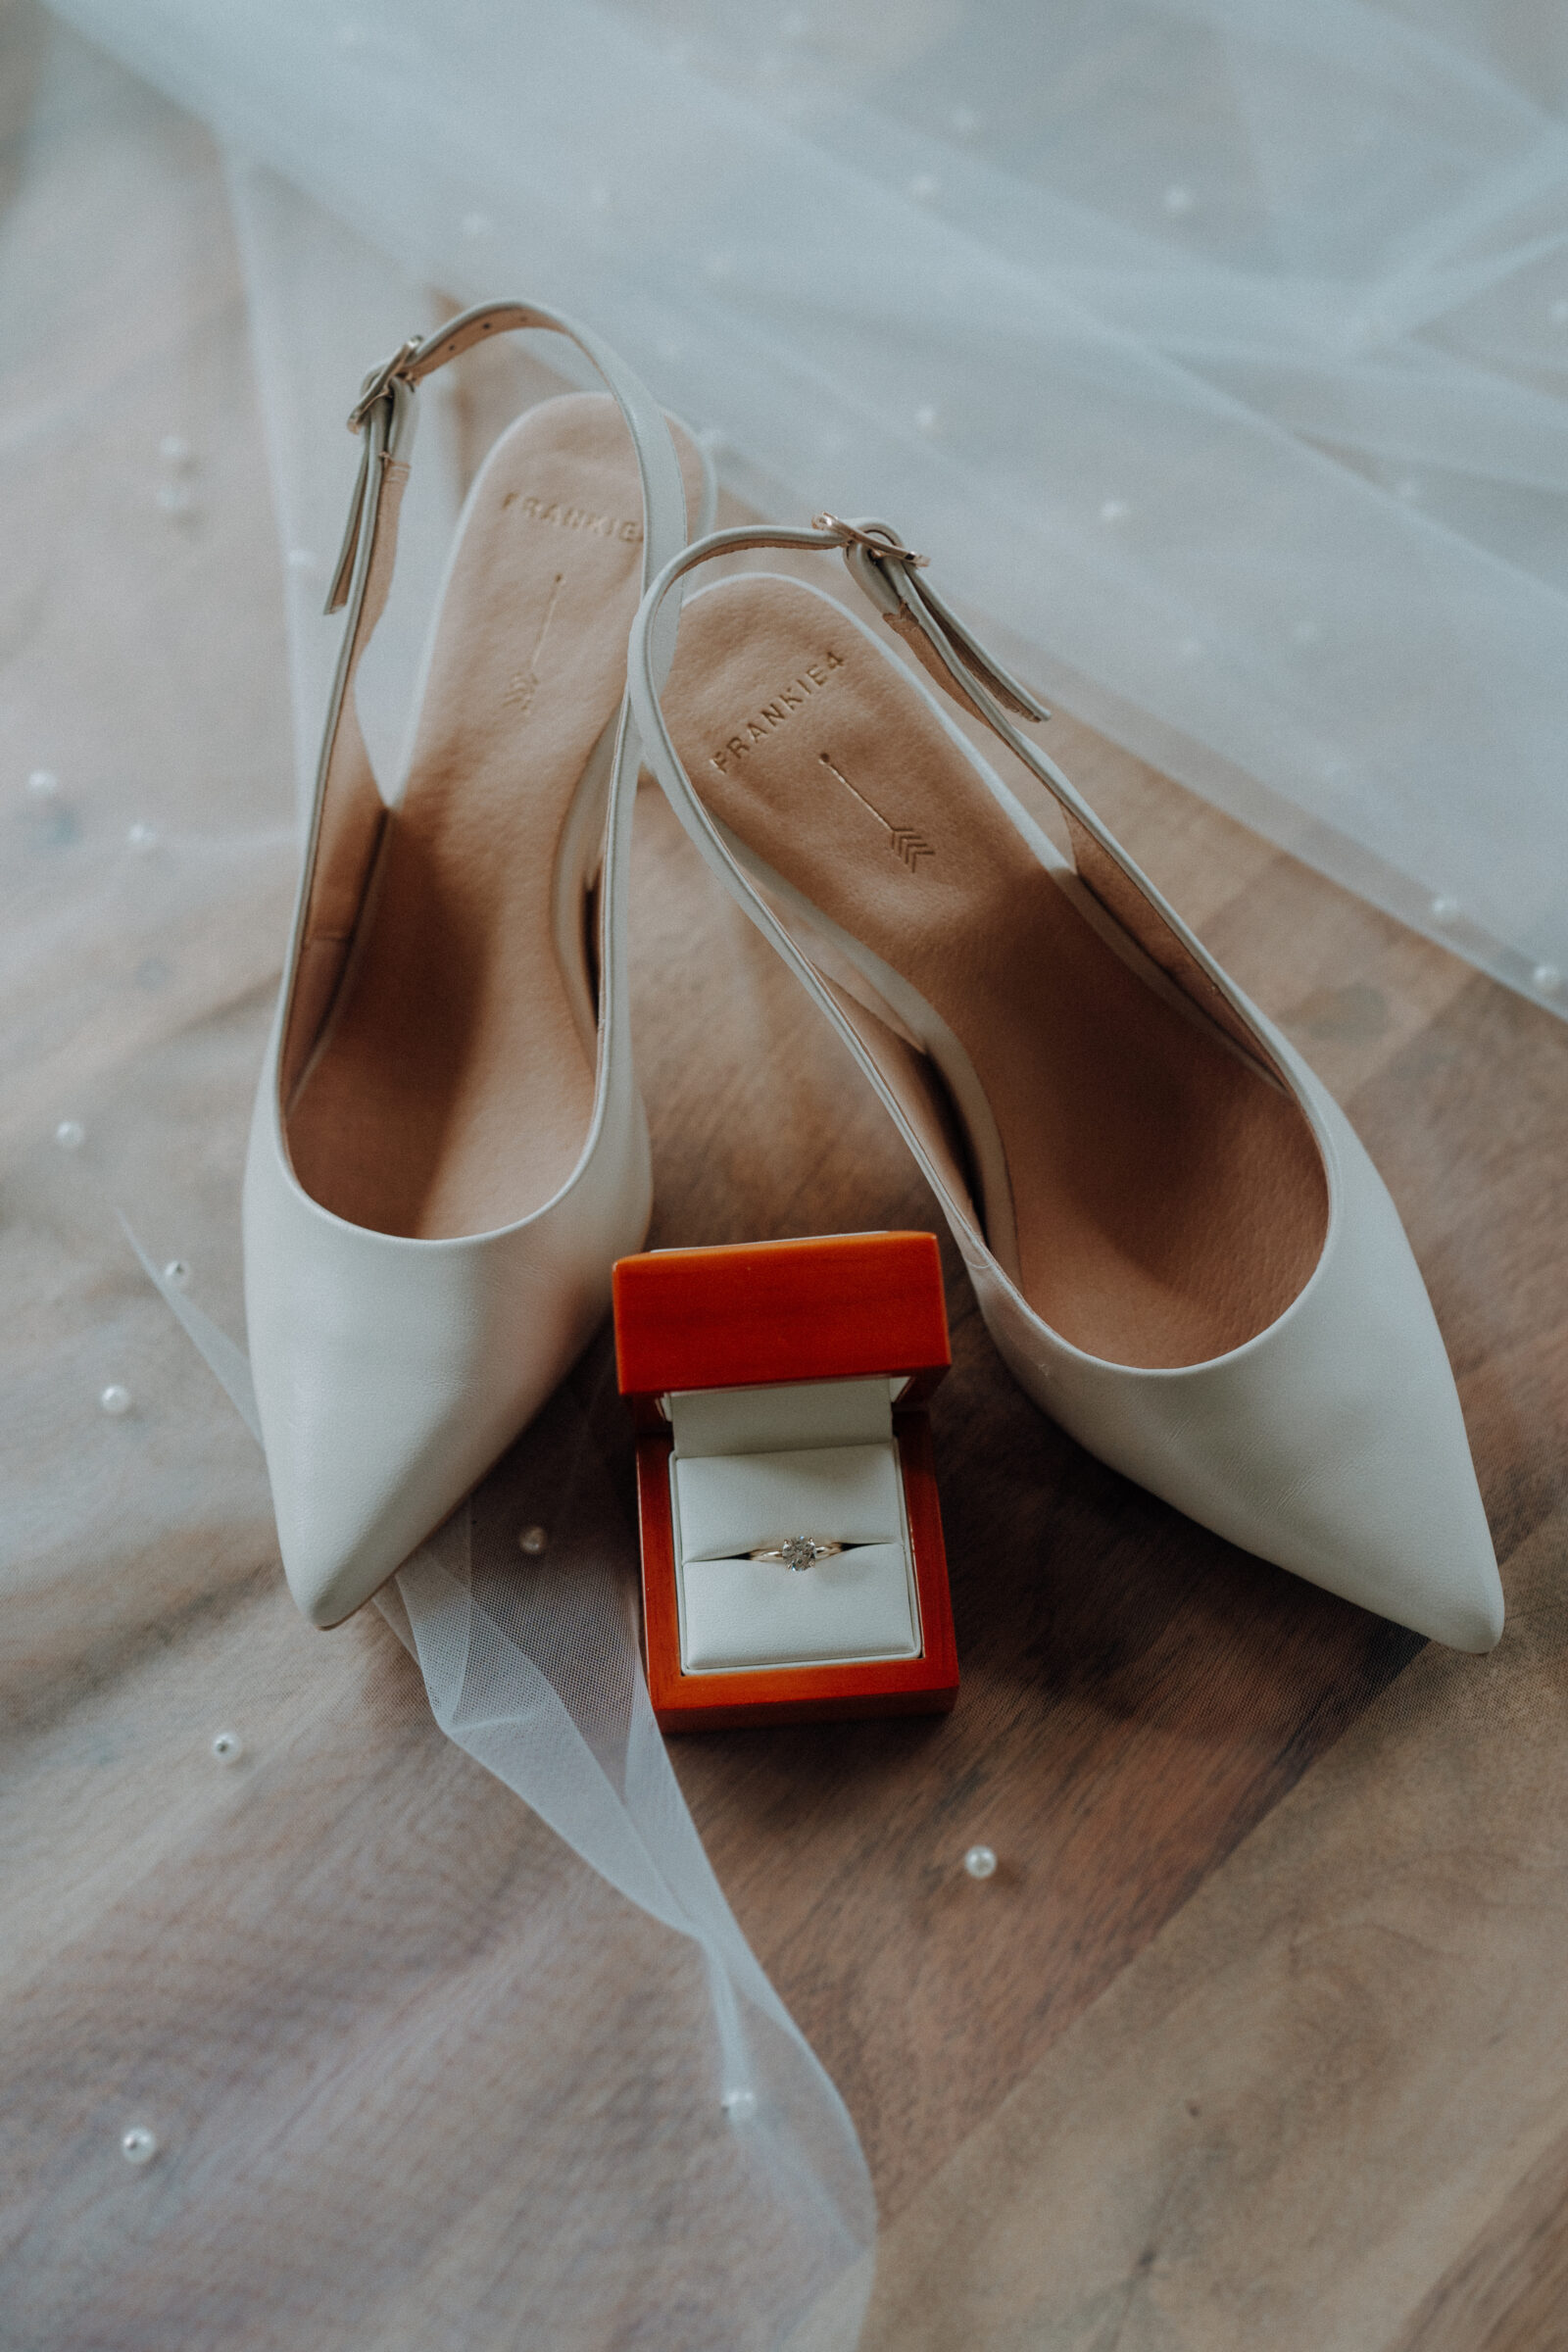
pixel 391 1372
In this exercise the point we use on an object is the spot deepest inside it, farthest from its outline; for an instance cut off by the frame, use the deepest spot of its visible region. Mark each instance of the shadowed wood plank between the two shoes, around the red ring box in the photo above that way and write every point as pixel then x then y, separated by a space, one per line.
pixel 1137 1695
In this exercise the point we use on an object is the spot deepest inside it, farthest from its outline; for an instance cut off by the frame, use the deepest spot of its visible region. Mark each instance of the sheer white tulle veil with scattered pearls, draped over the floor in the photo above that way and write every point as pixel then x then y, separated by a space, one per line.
pixel 1217 354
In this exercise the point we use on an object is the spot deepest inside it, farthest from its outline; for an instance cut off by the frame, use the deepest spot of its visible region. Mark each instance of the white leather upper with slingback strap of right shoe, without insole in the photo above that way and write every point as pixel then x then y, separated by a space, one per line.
pixel 1334 1441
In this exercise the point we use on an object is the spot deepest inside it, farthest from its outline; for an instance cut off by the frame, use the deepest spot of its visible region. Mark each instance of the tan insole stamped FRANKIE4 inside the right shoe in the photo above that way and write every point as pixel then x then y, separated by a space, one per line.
pixel 1170 1198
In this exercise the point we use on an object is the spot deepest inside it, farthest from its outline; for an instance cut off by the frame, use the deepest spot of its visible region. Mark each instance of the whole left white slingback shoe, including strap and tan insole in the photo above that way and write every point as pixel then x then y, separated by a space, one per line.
pixel 450 1149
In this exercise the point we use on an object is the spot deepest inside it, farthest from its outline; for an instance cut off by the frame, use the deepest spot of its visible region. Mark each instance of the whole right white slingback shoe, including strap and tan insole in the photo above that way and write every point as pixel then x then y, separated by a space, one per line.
pixel 1177 1238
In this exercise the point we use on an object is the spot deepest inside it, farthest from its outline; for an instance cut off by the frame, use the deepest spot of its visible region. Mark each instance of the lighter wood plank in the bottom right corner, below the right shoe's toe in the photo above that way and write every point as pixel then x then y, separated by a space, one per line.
pixel 1320 2085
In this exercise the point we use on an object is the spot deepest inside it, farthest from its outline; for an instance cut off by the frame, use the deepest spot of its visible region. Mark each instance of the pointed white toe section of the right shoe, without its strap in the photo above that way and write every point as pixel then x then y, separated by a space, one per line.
pixel 1332 1445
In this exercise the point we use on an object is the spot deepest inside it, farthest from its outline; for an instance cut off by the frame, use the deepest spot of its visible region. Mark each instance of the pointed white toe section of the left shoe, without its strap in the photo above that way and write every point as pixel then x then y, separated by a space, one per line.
pixel 391 1372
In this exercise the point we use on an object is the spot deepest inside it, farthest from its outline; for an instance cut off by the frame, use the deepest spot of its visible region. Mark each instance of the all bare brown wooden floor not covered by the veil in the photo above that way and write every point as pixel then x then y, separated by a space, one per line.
pixel 1259 2036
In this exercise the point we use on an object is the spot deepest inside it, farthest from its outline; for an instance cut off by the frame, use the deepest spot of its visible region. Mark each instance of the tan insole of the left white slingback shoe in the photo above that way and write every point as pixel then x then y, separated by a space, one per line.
pixel 453 1085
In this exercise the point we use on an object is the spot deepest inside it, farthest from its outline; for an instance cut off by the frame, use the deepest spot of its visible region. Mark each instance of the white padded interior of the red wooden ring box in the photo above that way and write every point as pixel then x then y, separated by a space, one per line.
pixel 753 1466
